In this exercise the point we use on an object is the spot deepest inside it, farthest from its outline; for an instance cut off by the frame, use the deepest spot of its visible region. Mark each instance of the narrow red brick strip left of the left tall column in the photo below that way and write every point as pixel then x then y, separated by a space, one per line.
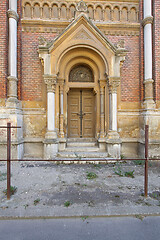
pixel 3 48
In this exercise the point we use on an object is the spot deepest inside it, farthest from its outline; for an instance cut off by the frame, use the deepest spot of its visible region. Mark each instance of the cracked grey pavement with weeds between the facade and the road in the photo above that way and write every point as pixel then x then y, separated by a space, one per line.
pixel 46 189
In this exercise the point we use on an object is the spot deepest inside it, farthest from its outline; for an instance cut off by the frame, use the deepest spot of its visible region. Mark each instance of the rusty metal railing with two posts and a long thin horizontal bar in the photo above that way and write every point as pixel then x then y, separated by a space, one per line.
pixel 9 127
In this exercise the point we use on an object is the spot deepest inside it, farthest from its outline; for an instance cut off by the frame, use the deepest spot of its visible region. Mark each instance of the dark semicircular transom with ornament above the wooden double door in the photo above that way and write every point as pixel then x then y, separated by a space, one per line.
pixel 81 74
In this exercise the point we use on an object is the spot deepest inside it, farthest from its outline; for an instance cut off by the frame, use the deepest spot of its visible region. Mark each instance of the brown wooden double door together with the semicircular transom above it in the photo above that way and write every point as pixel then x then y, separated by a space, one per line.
pixel 81 104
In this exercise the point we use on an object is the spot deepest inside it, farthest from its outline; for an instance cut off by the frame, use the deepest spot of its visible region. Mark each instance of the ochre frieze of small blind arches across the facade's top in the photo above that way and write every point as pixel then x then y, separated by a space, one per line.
pixel 66 10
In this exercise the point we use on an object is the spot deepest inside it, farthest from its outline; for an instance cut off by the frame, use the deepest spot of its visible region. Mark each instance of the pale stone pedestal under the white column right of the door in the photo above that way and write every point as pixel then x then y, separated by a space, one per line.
pixel 113 142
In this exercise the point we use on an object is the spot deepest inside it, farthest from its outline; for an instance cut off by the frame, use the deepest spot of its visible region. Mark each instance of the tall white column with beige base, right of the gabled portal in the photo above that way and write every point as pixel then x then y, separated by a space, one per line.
pixel 148 81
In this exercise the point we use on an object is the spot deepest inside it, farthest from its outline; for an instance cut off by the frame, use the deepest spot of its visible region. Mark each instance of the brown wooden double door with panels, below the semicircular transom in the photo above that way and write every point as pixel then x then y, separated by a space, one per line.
pixel 81 113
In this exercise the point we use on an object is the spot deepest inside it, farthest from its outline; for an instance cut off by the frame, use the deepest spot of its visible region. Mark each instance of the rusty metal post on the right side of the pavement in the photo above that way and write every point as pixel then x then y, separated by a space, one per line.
pixel 146 162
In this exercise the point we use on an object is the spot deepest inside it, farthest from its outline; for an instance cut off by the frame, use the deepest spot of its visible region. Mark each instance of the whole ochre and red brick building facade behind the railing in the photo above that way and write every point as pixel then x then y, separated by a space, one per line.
pixel 80 72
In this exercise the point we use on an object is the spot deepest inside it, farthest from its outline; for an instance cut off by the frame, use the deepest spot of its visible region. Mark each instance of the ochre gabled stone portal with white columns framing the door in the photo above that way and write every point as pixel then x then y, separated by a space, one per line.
pixel 83 46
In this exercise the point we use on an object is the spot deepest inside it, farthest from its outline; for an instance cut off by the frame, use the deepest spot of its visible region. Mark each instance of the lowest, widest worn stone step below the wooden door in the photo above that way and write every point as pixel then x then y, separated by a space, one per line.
pixel 78 155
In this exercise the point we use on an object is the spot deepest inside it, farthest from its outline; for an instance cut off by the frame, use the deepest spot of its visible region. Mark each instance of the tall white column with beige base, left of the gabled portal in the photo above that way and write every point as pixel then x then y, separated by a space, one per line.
pixel 12 52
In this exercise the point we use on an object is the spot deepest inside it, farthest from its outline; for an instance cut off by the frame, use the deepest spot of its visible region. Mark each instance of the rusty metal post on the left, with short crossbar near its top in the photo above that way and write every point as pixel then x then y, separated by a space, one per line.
pixel 8 160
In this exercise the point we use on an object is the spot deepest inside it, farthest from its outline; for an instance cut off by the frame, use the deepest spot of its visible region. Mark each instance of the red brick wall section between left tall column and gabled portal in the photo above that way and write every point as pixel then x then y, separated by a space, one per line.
pixel 31 66
